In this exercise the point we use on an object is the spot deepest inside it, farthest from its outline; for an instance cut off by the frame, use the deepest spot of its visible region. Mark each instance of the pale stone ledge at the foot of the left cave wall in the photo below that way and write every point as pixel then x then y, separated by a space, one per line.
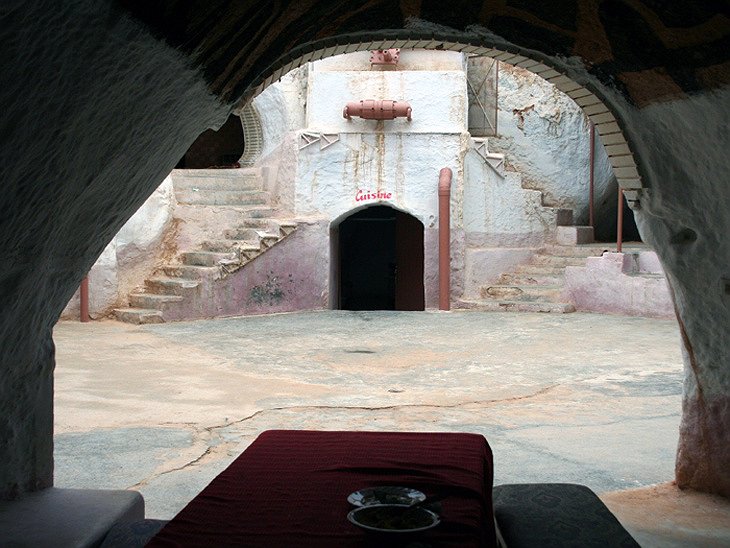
pixel 66 517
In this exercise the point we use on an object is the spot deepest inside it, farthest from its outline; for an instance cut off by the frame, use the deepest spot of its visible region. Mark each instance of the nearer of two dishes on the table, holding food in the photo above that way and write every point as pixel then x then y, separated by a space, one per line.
pixel 393 518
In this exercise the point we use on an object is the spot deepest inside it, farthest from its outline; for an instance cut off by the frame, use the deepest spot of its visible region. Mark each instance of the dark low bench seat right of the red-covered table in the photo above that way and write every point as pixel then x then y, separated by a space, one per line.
pixel 556 515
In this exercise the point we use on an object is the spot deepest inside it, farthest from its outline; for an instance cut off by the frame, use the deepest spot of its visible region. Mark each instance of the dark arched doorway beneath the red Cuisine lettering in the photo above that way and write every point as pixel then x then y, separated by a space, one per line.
pixel 380 261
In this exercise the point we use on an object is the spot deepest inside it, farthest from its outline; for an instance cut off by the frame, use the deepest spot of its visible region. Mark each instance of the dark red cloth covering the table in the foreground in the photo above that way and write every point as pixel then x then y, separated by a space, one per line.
pixel 290 487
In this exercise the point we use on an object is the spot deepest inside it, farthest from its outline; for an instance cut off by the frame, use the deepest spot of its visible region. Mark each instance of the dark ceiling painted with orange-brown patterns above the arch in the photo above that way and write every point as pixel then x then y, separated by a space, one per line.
pixel 651 50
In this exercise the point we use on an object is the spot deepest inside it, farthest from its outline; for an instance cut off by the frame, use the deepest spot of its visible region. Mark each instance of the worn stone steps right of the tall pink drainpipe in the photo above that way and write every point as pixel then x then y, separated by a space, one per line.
pixel 538 285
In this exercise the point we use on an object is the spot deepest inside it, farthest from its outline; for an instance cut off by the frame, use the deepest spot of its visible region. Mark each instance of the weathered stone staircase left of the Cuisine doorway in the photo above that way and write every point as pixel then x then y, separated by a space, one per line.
pixel 230 207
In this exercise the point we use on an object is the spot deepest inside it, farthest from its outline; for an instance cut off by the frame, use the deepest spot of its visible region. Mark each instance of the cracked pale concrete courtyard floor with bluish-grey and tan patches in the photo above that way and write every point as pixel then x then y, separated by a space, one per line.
pixel 583 398
